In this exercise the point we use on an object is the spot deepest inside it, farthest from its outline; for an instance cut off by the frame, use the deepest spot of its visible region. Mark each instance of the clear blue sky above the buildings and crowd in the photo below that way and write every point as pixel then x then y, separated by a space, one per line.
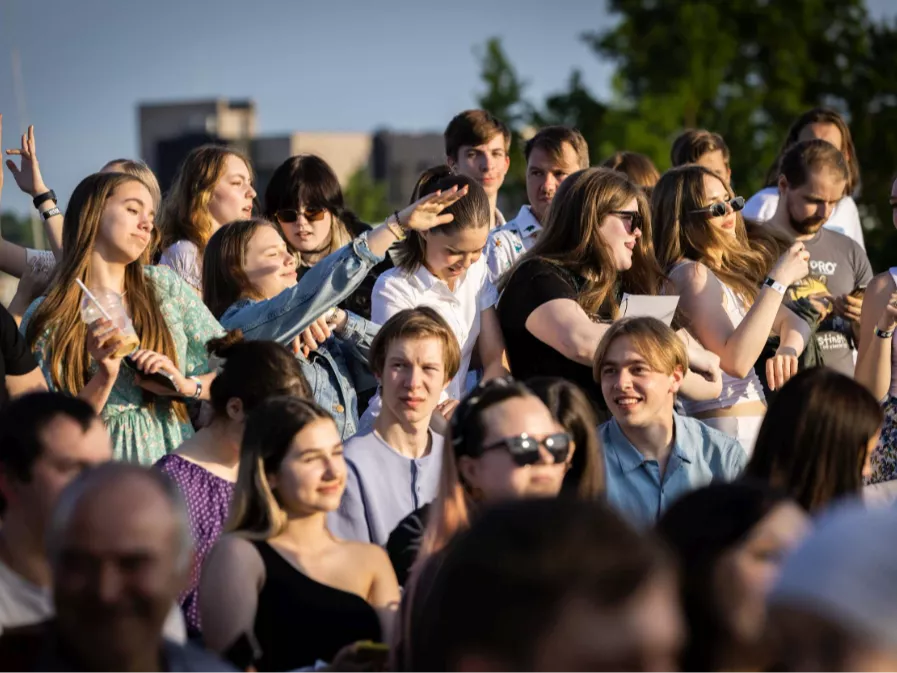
pixel 309 65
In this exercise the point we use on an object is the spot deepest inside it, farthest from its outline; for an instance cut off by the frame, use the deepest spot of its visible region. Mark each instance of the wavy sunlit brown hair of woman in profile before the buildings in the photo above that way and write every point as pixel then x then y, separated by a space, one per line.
pixel 185 213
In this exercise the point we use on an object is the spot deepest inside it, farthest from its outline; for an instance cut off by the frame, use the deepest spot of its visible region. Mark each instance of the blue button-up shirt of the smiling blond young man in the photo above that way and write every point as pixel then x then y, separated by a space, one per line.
pixel 700 455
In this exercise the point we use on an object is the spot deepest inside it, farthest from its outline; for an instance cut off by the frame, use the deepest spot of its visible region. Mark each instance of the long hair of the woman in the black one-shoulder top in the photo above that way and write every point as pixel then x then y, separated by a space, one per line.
pixel 255 511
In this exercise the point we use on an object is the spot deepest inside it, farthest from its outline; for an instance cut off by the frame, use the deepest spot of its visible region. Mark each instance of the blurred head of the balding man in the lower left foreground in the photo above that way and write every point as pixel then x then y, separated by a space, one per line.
pixel 117 572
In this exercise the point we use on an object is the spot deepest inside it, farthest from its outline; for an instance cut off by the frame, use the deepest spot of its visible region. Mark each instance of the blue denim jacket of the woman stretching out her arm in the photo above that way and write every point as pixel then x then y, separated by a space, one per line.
pixel 339 366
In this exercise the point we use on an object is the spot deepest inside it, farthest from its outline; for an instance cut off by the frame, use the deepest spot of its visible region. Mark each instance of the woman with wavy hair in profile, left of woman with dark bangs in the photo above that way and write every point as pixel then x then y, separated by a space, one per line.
pixel 213 187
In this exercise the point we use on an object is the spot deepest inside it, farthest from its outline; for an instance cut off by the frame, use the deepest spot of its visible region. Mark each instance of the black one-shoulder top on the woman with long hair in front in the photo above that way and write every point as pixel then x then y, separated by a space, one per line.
pixel 300 621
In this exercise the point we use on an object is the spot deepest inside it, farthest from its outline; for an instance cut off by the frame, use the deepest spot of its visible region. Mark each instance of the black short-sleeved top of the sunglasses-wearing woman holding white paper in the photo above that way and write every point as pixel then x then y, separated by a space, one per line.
pixel 534 283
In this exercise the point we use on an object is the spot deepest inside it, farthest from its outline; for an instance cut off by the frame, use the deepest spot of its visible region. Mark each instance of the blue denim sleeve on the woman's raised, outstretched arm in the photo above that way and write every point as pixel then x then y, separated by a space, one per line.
pixel 326 284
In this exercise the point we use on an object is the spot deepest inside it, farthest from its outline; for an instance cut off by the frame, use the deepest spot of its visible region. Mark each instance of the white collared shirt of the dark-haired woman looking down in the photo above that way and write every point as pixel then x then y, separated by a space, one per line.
pixel 397 290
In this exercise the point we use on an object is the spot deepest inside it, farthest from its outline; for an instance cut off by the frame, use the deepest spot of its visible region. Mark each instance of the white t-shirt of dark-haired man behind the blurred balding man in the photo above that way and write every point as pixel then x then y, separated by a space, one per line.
pixel 23 603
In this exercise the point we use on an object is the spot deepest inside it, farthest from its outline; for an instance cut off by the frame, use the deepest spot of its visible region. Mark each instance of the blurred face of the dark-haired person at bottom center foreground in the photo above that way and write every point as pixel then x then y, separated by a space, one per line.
pixel 644 635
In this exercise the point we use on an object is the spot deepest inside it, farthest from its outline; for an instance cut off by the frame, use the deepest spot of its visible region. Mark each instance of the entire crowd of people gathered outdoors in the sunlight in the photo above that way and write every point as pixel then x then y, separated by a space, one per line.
pixel 647 424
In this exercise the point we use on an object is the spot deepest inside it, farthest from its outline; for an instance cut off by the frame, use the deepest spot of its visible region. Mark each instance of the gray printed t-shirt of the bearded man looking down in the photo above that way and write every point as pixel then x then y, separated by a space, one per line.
pixel 838 265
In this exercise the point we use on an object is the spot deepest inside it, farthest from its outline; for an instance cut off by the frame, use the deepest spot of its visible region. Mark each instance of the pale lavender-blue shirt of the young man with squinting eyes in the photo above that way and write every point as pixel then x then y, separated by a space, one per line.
pixel 383 487
